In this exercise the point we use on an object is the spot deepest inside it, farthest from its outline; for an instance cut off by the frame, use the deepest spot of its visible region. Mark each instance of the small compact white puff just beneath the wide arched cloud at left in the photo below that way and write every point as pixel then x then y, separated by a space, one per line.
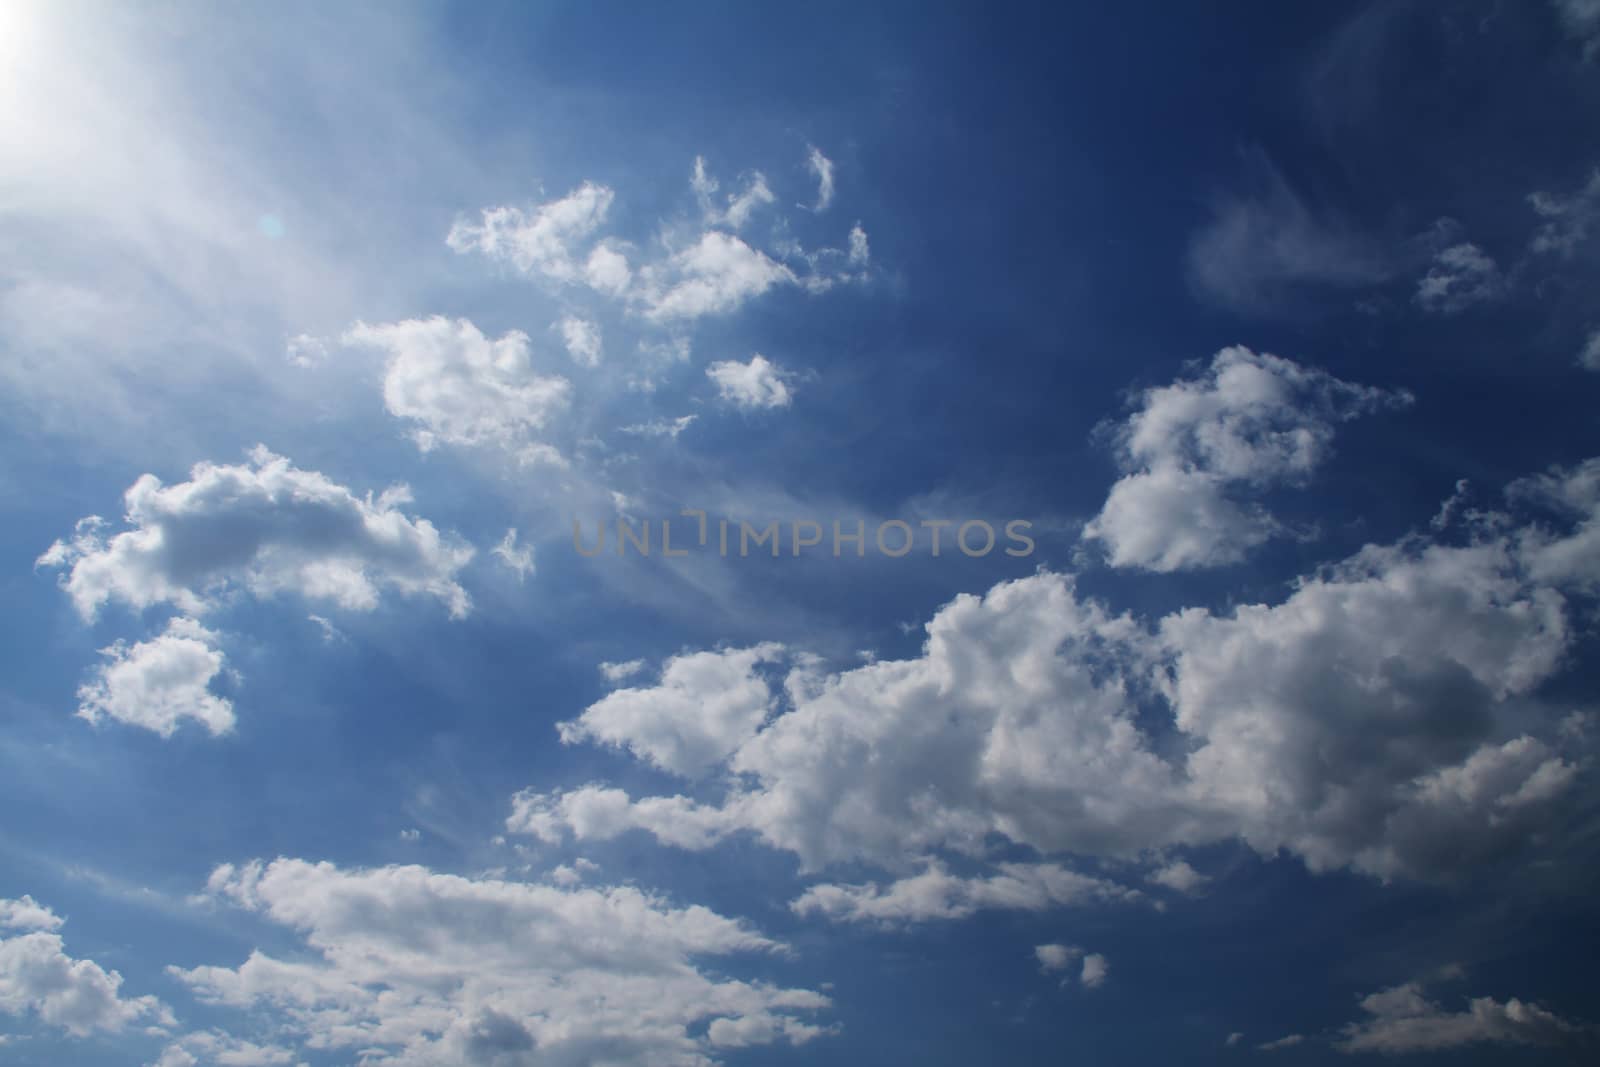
pixel 161 682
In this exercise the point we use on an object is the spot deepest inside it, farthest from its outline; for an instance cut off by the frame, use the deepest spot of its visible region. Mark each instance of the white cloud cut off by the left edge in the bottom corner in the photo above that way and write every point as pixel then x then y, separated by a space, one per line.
pixel 76 996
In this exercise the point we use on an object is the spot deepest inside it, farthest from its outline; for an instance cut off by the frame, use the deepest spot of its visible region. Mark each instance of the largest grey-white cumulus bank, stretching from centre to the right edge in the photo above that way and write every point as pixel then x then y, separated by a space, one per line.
pixel 1383 717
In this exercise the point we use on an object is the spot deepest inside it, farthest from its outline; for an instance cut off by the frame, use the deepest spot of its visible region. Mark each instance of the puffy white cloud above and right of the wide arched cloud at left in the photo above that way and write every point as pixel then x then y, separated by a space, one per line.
pixel 463 390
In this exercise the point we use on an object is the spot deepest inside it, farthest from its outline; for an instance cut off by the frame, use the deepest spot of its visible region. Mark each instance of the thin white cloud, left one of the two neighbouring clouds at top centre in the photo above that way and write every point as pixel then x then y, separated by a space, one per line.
pixel 542 241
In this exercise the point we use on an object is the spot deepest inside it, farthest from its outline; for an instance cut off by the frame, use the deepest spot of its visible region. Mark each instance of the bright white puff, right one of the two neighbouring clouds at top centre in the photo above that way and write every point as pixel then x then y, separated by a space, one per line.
pixel 713 276
